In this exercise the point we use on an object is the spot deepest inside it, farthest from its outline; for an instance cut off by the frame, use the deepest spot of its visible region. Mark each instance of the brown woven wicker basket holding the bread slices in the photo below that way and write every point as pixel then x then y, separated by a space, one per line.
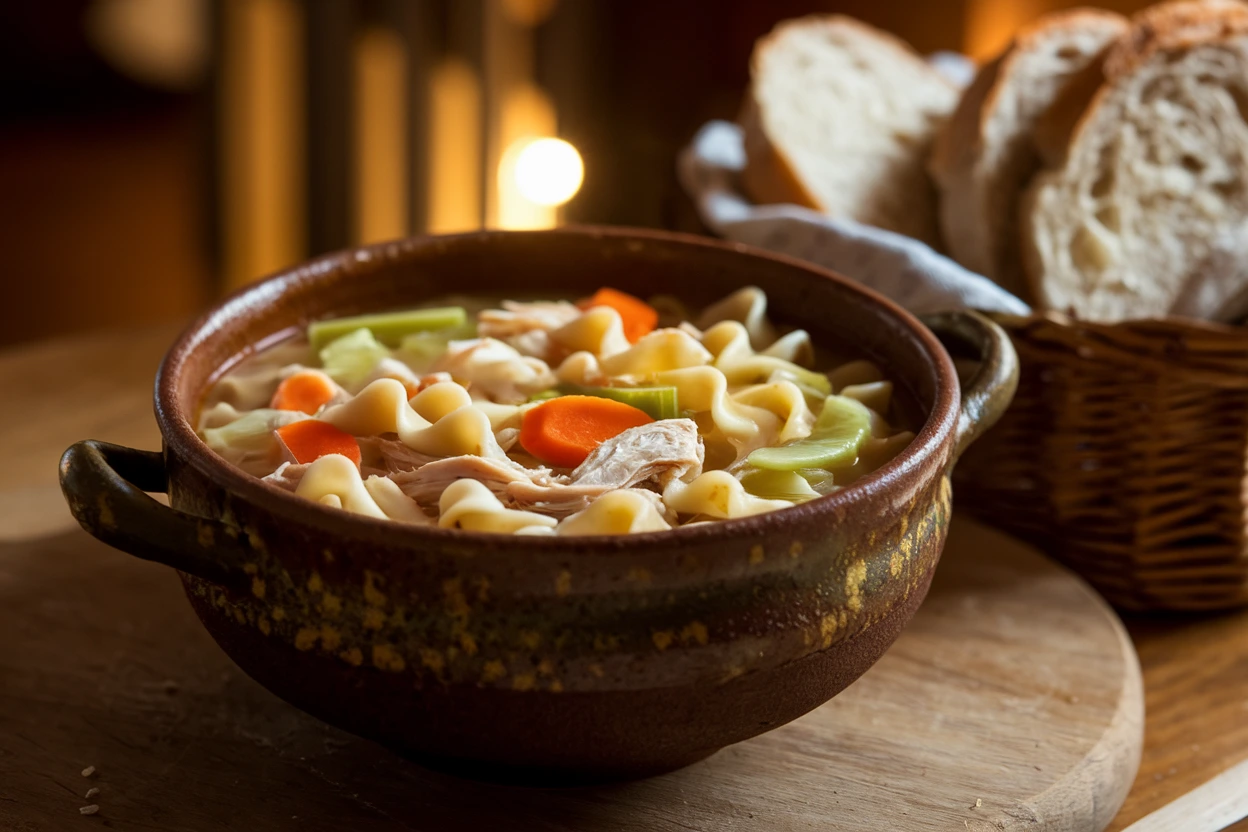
pixel 1125 456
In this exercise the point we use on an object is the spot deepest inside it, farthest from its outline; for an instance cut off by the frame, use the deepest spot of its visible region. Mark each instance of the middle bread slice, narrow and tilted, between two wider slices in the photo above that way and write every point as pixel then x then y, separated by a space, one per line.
pixel 992 147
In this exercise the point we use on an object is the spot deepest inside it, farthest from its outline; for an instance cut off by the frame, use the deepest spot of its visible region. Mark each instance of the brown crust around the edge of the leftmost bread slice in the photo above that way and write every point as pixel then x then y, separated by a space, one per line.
pixel 769 175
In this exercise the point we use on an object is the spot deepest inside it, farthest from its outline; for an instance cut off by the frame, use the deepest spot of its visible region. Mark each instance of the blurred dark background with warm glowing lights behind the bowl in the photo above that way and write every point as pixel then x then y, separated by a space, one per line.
pixel 155 154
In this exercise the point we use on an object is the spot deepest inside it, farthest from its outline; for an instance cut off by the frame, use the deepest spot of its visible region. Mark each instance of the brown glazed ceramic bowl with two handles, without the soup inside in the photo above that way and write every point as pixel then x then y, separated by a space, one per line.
pixel 546 658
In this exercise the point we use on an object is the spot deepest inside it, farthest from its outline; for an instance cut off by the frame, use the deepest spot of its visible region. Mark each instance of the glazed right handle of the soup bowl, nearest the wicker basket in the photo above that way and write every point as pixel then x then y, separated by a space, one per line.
pixel 992 389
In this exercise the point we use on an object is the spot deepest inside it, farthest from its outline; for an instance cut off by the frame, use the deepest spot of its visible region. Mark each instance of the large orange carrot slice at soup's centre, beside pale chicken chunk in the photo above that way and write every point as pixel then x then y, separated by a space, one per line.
pixel 565 431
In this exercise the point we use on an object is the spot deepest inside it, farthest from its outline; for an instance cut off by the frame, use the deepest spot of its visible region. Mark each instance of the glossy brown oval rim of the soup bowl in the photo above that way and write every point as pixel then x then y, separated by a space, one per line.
pixel 182 440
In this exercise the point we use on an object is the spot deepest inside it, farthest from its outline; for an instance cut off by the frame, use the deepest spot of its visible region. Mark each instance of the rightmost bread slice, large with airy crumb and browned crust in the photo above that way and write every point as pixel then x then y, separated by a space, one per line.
pixel 1148 213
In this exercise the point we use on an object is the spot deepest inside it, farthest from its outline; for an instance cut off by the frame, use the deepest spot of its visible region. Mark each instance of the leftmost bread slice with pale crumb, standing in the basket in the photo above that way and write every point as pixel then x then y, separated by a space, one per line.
pixel 841 118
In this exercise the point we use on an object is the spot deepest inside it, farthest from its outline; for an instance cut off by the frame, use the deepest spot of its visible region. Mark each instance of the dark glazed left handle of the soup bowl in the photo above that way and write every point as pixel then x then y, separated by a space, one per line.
pixel 105 487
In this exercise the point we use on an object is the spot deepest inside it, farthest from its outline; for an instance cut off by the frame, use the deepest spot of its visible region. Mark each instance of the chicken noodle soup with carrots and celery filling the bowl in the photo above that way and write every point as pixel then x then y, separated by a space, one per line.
pixel 611 416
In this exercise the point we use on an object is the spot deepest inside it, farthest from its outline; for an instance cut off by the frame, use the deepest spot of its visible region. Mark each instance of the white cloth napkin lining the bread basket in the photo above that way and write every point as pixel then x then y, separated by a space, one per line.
pixel 899 268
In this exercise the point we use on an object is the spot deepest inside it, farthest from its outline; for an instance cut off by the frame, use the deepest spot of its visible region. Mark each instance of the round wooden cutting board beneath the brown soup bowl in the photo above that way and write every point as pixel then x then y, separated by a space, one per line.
pixel 1012 703
